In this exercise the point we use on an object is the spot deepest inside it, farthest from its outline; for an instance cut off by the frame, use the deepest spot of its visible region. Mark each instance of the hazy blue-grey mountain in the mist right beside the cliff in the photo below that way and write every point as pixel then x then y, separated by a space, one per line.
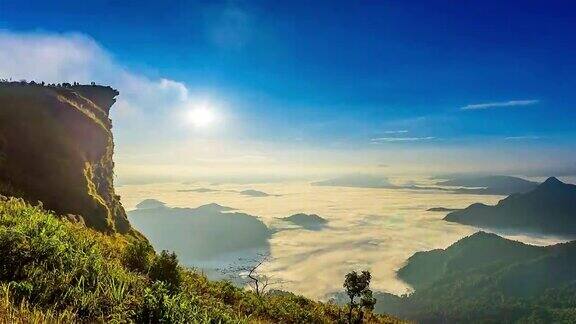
pixel 201 234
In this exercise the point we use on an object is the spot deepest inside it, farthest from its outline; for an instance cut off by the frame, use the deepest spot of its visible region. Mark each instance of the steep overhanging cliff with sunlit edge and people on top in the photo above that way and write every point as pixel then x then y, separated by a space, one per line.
pixel 56 147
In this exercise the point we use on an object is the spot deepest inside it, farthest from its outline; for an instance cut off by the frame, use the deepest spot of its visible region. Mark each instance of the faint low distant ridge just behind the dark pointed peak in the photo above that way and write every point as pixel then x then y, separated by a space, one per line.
pixel 490 185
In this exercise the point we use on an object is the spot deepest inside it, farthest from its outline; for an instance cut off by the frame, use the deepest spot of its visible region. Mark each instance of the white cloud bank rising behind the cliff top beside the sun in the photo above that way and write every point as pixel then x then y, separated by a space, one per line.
pixel 144 103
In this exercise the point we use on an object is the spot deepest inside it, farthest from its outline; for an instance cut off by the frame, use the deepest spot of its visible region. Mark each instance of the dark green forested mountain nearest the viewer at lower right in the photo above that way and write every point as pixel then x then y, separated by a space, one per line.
pixel 486 278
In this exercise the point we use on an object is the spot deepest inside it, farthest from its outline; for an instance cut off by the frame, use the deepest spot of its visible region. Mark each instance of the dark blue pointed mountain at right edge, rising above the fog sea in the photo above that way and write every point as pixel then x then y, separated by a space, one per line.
pixel 548 209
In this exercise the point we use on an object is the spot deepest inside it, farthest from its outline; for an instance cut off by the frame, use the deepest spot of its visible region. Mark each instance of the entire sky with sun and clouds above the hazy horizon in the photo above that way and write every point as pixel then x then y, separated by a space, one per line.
pixel 272 89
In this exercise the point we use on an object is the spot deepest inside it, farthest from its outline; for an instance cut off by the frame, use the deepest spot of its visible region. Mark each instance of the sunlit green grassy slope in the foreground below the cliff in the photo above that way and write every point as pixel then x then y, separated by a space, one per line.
pixel 56 271
